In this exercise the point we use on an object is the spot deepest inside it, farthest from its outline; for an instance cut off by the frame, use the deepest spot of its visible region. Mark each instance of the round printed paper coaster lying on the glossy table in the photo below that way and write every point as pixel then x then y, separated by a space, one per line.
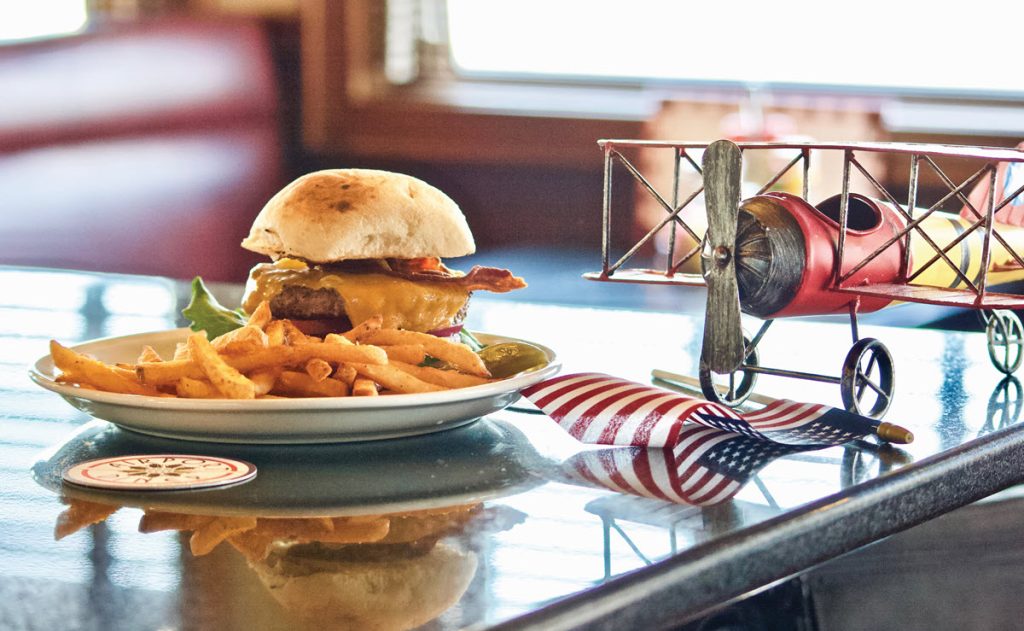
pixel 160 473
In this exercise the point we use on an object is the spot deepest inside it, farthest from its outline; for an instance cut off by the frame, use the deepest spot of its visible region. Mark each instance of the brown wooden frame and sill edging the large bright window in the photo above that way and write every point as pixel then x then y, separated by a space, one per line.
pixel 351 109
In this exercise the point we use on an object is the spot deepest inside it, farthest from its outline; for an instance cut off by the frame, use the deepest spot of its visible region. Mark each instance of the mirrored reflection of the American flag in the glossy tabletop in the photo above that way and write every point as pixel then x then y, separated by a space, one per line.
pixel 707 467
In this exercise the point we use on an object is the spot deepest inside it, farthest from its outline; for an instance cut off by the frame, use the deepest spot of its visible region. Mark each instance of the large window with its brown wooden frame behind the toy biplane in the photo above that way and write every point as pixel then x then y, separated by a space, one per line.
pixel 452 80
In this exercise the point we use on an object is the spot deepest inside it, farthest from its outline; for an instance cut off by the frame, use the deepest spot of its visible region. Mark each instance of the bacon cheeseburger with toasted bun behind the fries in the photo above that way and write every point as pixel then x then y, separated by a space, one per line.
pixel 351 244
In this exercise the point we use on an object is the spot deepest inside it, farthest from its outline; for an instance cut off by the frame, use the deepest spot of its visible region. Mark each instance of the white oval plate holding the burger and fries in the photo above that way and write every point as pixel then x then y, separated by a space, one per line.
pixel 282 420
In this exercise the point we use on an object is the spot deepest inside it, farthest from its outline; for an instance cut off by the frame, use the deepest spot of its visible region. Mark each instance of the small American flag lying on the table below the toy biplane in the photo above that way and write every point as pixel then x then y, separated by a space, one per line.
pixel 604 410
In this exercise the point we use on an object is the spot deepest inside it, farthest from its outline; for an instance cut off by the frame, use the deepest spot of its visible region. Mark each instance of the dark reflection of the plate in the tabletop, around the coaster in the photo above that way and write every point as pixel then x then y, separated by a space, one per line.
pixel 467 465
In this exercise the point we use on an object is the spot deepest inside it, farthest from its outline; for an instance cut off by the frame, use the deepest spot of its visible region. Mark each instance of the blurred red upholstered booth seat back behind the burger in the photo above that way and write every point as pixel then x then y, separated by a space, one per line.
pixel 143 149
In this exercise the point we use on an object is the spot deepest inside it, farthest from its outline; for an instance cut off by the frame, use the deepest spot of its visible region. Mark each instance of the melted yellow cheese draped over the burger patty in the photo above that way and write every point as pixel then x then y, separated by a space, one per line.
pixel 404 304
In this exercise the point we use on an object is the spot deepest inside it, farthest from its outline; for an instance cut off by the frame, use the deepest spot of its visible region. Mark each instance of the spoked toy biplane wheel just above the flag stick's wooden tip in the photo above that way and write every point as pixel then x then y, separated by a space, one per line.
pixel 869 380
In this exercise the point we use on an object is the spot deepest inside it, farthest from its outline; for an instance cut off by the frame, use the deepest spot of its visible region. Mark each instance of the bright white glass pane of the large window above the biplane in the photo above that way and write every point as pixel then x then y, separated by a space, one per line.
pixel 903 48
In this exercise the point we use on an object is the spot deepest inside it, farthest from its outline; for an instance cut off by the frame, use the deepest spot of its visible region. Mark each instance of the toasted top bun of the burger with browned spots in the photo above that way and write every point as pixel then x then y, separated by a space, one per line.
pixel 339 215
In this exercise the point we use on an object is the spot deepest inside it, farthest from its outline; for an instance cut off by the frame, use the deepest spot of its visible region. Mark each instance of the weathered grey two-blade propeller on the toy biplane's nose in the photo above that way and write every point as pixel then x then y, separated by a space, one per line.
pixel 723 339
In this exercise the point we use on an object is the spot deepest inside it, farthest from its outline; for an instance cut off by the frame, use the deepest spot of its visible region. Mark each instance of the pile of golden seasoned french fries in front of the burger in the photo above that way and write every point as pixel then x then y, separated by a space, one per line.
pixel 272 358
